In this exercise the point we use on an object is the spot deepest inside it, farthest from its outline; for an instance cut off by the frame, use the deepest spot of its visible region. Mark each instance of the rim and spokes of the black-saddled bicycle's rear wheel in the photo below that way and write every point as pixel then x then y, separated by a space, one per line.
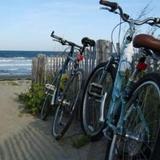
pixel 63 116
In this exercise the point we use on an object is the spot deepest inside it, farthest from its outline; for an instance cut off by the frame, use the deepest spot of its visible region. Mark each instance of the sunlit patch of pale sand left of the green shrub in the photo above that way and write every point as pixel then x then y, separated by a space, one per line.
pixel 10 116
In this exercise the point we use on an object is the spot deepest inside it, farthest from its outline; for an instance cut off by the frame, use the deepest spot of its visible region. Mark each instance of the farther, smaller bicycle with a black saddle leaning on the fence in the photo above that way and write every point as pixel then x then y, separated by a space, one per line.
pixel 64 91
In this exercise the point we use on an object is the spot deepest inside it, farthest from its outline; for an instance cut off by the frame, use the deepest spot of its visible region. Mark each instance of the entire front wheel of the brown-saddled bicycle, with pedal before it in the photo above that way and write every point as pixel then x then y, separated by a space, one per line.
pixel 92 100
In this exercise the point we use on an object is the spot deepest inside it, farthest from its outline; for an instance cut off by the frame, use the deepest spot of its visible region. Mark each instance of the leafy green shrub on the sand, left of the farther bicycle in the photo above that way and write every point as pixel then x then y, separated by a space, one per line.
pixel 33 99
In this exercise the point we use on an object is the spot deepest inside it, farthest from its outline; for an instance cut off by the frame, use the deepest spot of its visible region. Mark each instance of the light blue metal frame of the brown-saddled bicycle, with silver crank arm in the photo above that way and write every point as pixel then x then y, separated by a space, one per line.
pixel 117 99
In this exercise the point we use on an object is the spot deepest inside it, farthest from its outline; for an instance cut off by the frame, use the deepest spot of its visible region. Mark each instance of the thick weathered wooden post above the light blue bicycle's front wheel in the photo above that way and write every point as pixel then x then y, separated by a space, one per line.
pixel 103 51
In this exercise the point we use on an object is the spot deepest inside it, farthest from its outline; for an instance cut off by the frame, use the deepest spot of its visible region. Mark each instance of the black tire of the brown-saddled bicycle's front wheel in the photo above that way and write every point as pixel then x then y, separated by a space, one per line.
pixel 86 109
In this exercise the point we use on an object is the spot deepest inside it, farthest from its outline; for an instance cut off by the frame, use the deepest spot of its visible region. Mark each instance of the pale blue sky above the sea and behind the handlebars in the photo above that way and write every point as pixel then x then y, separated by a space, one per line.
pixel 27 24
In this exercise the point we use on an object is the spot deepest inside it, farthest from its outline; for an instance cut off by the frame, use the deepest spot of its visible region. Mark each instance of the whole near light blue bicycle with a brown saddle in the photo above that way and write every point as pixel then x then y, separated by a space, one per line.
pixel 126 111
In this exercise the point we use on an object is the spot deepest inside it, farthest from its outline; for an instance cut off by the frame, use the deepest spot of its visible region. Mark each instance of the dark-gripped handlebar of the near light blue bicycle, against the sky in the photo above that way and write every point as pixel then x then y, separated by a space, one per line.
pixel 113 6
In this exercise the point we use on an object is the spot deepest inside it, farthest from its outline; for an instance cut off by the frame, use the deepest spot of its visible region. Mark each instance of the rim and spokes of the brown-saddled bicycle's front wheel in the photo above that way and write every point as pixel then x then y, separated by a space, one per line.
pixel 91 109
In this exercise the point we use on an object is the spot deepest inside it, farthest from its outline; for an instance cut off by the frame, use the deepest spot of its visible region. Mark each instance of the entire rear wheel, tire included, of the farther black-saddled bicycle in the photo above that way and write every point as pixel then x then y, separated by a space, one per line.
pixel 67 103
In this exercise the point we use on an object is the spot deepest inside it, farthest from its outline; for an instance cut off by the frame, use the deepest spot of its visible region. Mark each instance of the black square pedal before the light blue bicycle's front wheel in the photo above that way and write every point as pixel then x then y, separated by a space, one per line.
pixel 95 90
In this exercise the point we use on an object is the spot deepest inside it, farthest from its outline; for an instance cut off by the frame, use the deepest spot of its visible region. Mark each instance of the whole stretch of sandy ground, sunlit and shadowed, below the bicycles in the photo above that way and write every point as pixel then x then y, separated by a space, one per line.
pixel 23 137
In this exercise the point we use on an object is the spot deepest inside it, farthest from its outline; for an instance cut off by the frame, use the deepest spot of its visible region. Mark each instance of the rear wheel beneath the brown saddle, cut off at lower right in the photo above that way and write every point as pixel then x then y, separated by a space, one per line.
pixel 142 123
